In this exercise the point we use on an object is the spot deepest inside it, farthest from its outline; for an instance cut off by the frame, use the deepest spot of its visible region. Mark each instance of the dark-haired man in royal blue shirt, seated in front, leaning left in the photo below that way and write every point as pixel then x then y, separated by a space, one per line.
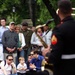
pixel 36 62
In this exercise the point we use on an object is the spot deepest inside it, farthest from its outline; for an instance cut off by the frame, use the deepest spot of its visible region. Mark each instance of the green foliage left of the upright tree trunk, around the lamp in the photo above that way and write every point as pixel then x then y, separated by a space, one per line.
pixel 21 10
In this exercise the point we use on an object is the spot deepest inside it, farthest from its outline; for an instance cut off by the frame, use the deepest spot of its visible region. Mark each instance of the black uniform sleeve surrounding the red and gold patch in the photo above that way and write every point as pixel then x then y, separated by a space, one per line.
pixel 57 48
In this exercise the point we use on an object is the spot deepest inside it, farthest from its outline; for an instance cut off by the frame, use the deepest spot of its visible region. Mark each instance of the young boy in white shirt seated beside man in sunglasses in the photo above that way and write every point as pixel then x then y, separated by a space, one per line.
pixel 21 67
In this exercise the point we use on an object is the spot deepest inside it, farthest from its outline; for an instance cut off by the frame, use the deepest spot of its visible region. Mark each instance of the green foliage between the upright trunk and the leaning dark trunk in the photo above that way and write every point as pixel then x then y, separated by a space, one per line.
pixel 44 15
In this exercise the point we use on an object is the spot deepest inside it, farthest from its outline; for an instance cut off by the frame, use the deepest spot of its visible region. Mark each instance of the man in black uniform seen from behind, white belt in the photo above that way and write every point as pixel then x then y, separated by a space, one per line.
pixel 62 55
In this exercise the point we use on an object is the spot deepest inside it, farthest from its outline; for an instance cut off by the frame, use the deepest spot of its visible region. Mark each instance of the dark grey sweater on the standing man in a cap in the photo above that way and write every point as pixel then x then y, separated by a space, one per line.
pixel 10 40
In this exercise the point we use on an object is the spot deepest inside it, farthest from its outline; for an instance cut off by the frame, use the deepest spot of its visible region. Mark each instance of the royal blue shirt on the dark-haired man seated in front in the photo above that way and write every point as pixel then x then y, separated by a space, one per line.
pixel 37 62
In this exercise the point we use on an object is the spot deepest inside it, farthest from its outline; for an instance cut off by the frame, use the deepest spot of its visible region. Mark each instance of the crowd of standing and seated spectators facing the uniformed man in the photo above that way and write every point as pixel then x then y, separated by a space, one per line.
pixel 21 48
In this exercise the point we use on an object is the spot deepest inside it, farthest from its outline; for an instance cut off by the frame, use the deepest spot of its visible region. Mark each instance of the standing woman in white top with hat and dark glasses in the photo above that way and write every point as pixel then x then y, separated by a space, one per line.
pixel 35 41
